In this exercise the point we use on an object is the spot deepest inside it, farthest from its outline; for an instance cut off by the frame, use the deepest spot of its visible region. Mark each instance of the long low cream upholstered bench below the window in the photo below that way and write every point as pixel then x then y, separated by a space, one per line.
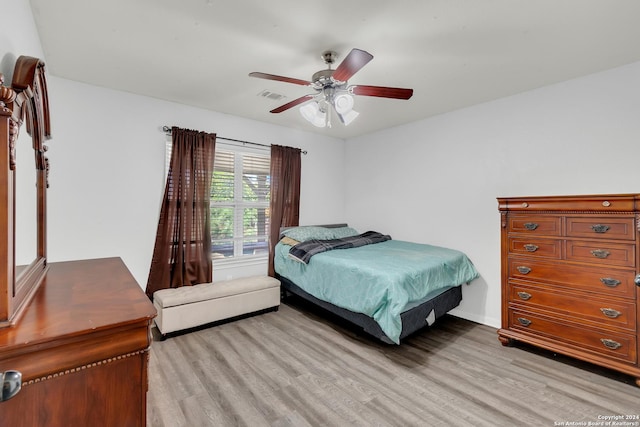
pixel 190 306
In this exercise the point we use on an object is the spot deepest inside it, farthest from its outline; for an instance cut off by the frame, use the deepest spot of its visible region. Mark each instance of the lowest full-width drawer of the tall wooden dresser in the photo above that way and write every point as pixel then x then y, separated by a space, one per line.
pixel 610 344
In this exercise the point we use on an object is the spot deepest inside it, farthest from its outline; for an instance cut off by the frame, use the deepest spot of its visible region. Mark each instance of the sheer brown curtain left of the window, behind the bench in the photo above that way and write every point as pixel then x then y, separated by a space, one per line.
pixel 182 252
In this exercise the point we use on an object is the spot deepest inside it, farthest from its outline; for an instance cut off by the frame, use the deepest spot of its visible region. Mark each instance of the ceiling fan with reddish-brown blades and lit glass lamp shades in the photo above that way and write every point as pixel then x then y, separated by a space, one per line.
pixel 332 90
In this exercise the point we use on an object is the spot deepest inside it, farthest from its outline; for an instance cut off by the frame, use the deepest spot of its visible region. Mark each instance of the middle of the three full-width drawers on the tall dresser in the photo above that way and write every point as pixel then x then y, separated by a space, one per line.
pixel 599 311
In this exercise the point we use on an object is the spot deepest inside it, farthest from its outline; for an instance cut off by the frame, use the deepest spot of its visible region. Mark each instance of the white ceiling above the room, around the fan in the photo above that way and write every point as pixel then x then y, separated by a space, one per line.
pixel 453 53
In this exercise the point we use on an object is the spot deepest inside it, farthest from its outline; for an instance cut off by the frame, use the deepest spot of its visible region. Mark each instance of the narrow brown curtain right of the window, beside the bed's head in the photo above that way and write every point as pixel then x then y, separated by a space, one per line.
pixel 285 194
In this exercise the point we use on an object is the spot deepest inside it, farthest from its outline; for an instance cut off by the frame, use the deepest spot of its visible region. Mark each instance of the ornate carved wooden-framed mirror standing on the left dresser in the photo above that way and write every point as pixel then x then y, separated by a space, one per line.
pixel 24 127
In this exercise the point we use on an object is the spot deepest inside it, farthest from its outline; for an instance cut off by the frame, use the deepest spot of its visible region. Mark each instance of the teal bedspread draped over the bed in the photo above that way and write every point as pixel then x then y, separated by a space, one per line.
pixel 378 280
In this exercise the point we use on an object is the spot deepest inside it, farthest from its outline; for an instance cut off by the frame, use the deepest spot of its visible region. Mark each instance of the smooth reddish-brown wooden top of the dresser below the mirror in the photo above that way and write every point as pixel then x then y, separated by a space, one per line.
pixel 78 298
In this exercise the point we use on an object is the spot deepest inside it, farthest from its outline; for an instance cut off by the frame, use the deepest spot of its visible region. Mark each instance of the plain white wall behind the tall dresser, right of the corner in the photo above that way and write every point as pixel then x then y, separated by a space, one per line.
pixel 436 181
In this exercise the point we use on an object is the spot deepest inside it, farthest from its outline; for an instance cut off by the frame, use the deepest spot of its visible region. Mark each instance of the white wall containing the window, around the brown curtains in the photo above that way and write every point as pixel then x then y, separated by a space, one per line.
pixel 107 170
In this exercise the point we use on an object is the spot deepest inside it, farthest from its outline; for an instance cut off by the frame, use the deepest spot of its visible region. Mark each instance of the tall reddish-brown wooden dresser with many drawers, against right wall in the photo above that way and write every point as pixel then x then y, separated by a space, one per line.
pixel 570 279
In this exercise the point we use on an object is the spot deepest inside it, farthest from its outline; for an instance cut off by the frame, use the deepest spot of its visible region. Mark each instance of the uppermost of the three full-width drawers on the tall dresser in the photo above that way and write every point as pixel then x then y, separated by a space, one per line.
pixel 606 281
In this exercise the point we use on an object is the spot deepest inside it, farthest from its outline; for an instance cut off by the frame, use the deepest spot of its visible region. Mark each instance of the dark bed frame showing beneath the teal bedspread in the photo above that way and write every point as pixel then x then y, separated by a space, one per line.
pixel 413 319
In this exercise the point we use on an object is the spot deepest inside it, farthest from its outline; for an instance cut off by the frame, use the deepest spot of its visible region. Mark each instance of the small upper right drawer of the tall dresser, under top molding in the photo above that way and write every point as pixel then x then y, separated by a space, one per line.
pixel 601 228
